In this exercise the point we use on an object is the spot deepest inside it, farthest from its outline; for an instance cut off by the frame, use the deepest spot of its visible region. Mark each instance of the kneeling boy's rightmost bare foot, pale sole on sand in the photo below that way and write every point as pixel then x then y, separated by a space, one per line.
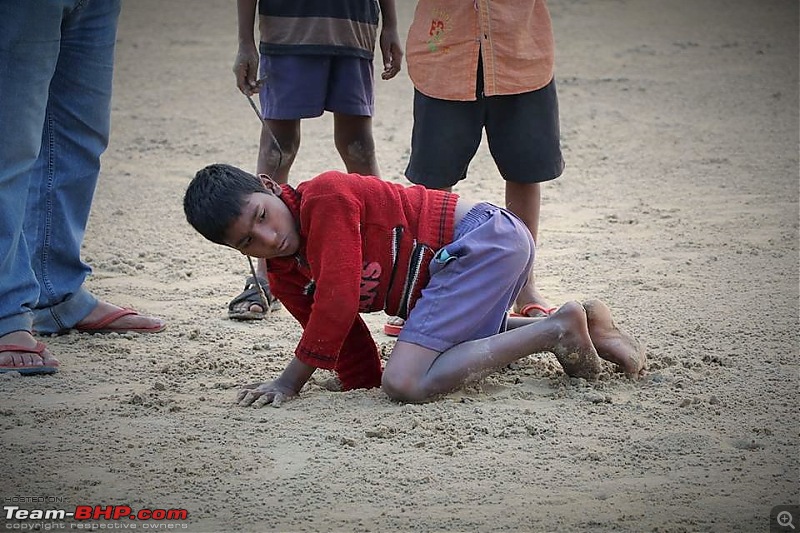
pixel 613 344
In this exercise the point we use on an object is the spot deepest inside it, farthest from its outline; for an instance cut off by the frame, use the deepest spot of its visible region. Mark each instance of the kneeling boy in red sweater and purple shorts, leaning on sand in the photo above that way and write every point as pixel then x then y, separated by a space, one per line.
pixel 343 244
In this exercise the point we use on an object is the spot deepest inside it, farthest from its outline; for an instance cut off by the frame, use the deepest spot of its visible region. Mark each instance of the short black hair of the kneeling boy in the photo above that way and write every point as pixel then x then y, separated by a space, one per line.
pixel 215 197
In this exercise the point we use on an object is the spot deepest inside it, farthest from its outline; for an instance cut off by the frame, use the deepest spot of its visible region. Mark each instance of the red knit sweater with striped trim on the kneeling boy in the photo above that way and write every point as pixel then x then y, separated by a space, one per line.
pixel 365 246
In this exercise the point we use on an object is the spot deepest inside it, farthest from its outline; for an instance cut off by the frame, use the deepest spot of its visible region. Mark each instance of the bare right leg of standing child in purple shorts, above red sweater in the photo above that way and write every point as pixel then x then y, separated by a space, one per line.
pixel 356 146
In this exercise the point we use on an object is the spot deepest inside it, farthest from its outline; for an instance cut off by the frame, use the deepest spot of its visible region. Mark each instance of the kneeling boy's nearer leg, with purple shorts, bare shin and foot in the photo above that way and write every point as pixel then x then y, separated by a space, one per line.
pixel 482 271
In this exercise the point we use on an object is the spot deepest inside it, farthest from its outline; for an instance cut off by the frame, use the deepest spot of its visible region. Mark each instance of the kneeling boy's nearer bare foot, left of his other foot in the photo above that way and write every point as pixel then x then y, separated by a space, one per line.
pixel 574 349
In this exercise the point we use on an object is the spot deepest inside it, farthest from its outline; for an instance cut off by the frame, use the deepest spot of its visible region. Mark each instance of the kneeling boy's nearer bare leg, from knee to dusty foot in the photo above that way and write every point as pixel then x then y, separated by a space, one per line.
pixel 417 374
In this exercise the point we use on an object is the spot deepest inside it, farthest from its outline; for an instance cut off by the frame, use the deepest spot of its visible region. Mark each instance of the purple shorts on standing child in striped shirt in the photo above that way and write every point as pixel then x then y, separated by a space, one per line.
pixel 304 86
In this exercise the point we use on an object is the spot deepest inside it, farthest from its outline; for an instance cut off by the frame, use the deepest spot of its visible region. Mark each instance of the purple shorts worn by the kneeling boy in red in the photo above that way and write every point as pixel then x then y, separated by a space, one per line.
pixel 474 281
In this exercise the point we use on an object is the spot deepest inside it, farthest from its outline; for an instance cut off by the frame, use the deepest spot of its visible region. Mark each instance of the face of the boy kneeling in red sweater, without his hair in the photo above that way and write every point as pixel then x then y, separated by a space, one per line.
pixel 266 227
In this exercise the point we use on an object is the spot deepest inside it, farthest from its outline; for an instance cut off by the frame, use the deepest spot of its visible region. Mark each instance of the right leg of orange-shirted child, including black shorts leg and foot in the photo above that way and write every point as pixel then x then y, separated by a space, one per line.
pixel 524 139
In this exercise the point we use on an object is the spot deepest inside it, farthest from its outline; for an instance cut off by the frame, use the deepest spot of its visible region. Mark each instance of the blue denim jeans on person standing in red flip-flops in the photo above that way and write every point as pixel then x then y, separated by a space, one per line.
pixel 56 65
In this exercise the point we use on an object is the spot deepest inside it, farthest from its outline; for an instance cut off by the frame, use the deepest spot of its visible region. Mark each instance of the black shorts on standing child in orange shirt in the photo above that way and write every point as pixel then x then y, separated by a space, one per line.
pixel 522 131
